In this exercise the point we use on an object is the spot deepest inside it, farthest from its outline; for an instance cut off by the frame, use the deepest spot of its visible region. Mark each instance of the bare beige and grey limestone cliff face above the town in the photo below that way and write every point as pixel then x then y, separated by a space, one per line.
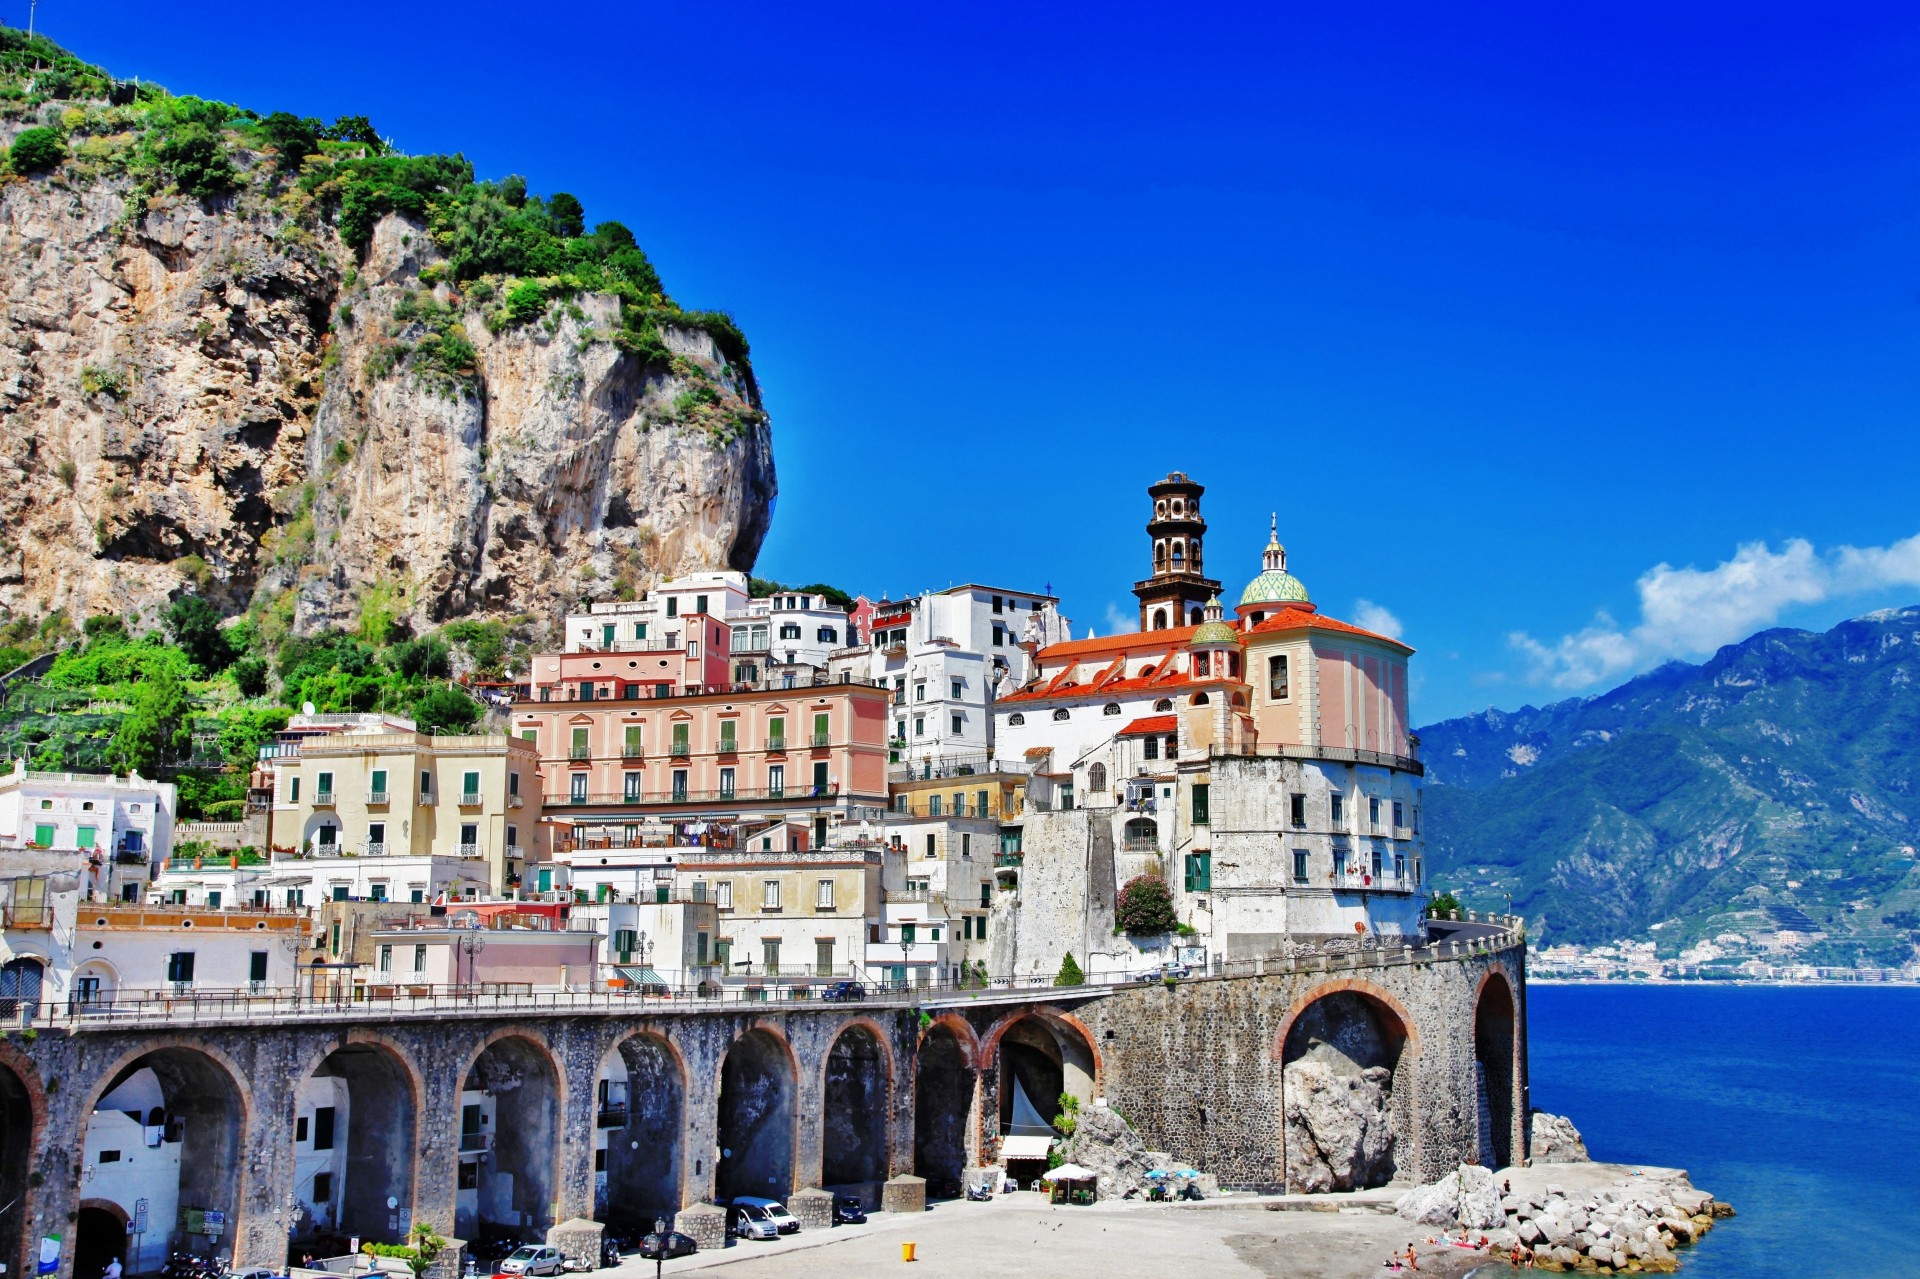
pixel 204 393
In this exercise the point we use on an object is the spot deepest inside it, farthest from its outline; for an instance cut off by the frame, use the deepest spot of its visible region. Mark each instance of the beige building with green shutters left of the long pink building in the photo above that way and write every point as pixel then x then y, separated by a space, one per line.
pixel 410 794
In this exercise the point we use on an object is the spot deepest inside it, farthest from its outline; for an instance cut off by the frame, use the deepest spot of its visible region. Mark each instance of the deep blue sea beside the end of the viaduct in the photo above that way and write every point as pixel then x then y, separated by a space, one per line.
pixel 1796 1105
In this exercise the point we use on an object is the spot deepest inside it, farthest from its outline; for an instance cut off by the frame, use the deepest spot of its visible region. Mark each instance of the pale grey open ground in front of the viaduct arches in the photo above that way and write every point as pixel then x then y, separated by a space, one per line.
pixel 1024 1236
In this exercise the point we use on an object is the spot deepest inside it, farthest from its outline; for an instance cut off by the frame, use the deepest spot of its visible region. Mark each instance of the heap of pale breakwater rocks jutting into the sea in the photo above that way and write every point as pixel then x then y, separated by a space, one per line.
pixel 1598 1219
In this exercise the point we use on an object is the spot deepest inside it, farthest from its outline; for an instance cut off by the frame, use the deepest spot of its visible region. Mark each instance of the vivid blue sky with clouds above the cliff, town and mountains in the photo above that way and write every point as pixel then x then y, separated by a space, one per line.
pixel 1499 306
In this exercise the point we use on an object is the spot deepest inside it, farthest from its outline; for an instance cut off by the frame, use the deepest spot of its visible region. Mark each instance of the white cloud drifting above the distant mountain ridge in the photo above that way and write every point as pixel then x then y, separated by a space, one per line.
pixel 1691 612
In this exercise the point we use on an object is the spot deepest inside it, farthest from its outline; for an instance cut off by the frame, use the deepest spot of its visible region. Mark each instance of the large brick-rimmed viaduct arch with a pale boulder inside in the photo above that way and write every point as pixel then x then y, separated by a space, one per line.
pixel 1349 1051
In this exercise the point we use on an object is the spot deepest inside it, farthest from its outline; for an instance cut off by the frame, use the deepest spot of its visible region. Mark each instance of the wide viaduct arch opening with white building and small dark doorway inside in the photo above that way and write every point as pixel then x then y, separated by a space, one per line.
pixel 162 1157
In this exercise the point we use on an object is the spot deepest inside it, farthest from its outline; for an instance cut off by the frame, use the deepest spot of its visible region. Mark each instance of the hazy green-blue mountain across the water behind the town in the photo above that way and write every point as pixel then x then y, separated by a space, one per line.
pixel 1769 790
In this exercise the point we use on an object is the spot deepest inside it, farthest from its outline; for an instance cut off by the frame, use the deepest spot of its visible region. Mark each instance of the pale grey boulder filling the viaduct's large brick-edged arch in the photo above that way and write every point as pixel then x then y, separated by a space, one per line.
pixel 1339 1132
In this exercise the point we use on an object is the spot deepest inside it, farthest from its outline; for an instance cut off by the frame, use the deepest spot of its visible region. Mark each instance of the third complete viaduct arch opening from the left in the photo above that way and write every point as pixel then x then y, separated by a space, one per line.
pixel 510 1130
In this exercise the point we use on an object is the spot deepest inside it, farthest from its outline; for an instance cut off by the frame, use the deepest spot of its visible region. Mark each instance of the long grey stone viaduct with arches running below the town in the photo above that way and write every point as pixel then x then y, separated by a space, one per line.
pixel 780 1099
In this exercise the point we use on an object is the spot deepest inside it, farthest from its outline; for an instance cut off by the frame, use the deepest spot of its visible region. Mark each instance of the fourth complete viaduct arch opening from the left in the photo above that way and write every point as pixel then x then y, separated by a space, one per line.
pixel 638 1119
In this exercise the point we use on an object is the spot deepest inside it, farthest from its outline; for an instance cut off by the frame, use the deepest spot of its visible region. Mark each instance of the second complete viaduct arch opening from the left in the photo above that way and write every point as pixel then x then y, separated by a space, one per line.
pixel 354 1136
